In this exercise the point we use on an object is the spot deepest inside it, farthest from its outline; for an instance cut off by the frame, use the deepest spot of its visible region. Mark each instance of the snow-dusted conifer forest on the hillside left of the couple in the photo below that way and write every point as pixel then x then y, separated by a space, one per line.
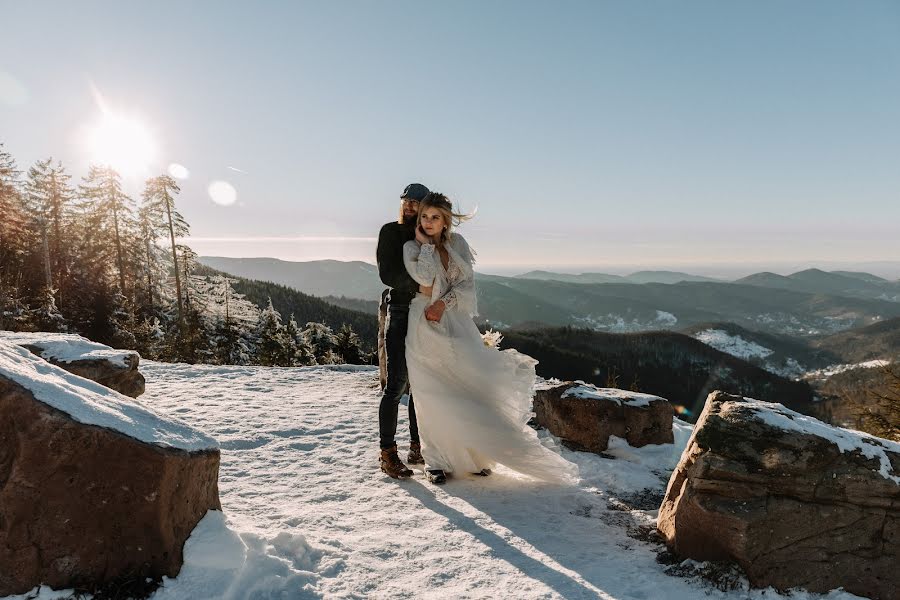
pixel 87 258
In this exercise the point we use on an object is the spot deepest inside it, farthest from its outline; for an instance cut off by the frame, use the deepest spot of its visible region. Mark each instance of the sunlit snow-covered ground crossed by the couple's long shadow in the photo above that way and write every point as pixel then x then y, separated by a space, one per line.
pixel 308 514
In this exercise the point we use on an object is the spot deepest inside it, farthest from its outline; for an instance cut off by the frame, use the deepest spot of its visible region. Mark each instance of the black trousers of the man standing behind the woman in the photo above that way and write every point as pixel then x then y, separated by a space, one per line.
pixel 397 378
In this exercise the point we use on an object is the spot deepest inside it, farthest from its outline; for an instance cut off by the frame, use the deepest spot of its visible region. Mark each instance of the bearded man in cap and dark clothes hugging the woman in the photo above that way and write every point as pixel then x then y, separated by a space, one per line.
pixel 403 289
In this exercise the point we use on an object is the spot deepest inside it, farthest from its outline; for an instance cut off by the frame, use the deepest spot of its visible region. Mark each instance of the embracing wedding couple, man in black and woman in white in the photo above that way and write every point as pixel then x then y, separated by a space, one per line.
pixel 472 403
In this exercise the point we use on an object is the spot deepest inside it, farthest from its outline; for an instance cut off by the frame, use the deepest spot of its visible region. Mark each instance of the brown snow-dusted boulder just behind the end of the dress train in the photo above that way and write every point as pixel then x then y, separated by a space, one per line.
pixel 585 416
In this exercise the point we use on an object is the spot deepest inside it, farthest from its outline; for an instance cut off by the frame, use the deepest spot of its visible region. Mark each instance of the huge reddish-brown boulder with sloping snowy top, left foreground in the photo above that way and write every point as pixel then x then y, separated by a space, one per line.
pixel 95 488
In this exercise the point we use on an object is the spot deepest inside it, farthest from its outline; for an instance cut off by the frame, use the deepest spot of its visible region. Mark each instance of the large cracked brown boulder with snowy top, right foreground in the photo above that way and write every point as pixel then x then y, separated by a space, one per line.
pixel 795 502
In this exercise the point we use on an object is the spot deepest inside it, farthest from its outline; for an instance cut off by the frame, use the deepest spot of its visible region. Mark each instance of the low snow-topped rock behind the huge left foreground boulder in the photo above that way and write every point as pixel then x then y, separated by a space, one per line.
pixel 116 369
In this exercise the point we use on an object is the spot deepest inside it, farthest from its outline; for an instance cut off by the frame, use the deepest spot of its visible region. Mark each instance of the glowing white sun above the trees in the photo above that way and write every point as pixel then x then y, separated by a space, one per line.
pixel 122 142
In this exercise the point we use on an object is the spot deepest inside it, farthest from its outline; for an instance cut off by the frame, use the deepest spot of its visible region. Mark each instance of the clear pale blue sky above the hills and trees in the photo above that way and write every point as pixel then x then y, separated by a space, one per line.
pixel 588 134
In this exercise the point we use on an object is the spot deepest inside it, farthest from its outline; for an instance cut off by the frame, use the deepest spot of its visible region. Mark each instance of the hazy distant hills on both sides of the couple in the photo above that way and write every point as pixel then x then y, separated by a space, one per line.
pixel 807 303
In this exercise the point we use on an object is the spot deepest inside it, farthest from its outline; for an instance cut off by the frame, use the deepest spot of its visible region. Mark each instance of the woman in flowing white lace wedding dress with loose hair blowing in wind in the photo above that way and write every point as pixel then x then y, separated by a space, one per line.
pixel 472 401
